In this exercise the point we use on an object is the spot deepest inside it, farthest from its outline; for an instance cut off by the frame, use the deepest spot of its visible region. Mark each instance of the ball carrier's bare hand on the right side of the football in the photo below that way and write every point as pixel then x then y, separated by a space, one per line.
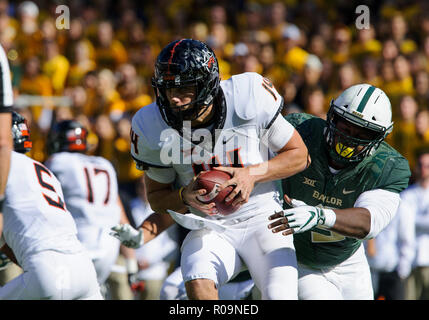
pixel 243 183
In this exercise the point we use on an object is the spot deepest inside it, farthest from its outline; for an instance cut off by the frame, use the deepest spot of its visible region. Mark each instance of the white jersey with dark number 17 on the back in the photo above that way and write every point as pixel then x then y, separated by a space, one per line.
pixel 90 188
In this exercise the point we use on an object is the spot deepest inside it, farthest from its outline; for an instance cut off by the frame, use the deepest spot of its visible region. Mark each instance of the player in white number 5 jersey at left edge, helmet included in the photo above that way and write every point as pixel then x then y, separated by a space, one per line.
pixel 39 233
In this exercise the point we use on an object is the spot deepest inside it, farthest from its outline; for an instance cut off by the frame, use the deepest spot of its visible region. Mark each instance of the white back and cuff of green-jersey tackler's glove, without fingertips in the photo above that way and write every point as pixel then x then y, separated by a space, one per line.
pixel 304 218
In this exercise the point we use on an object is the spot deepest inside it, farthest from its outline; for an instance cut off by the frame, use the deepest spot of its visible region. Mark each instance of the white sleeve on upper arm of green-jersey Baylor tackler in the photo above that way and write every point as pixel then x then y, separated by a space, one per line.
pixel 382 205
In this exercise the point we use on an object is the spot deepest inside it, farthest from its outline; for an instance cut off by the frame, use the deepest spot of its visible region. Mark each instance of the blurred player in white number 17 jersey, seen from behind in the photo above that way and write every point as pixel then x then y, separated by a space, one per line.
pixel 90 190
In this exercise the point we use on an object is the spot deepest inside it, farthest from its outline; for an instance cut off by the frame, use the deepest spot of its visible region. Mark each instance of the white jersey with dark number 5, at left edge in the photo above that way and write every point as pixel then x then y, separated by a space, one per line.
pixel 35 217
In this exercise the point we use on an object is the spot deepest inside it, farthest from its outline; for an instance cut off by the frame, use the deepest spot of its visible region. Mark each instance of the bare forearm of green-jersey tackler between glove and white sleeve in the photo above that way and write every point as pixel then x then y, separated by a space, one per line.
pixel 352 222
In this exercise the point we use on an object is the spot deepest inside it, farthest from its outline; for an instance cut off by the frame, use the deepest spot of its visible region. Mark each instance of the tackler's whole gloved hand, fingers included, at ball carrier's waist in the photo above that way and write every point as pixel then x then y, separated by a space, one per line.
pixel 300 218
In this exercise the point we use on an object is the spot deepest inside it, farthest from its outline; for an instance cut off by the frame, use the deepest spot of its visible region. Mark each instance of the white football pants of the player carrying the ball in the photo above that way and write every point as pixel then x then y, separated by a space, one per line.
pixel 219 256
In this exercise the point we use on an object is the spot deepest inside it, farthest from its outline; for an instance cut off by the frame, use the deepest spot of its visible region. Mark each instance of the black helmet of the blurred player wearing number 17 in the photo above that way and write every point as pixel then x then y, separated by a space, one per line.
pixel 67 135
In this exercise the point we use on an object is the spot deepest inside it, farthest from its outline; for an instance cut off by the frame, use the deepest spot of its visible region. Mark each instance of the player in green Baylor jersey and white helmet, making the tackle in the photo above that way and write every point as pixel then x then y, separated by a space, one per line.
pixel 349 193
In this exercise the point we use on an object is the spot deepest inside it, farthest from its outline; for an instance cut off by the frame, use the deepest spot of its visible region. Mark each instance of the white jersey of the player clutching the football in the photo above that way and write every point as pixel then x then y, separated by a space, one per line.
pixel 252 105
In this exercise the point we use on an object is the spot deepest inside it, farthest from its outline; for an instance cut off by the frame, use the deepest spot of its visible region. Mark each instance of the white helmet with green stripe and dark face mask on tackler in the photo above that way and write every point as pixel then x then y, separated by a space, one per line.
pixel 358 121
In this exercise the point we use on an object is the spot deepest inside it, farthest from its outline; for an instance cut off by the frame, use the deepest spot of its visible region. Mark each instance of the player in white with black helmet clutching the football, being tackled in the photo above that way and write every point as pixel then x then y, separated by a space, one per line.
pixel 200 123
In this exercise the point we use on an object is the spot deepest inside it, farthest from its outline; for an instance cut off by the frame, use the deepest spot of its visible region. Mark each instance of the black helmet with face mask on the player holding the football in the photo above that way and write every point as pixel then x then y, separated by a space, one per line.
pixel 184 63
